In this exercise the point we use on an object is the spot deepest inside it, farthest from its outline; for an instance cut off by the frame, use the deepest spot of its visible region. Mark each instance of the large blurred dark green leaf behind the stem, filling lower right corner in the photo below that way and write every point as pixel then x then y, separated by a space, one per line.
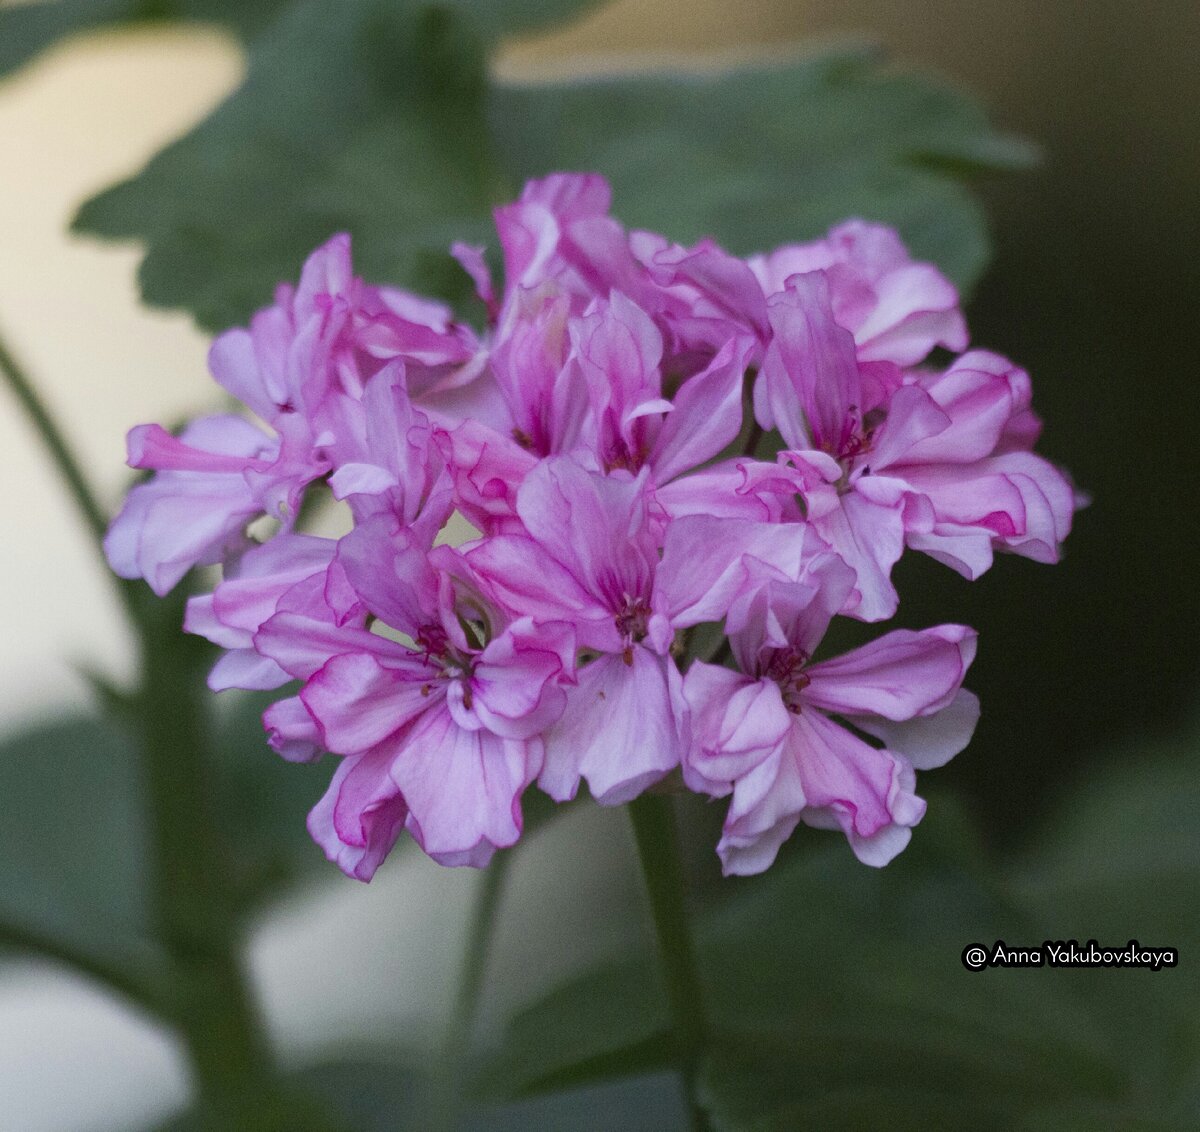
pixel 838 997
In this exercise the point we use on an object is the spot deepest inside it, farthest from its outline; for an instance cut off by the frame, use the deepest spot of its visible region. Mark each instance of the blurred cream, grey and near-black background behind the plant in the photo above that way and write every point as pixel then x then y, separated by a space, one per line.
pixel 1094 290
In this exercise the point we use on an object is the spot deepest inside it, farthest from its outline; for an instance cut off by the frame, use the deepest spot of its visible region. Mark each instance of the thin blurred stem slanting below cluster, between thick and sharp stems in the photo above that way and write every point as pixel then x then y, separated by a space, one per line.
pixel 451 1071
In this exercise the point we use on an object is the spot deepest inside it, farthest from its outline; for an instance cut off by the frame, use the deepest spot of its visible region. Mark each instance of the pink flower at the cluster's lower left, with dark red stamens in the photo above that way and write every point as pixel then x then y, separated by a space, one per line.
pixel 441 736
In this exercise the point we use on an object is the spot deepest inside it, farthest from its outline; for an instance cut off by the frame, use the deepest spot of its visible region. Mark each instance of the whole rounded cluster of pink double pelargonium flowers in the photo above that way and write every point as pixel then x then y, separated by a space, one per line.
pixel 605 440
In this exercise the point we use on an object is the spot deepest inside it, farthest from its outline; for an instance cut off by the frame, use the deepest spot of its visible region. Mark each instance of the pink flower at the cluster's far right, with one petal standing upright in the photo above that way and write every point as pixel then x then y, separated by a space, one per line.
pixel 883 459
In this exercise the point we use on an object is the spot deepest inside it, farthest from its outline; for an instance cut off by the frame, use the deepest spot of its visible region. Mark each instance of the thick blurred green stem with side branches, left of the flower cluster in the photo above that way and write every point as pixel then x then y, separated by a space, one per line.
pixel 209 1001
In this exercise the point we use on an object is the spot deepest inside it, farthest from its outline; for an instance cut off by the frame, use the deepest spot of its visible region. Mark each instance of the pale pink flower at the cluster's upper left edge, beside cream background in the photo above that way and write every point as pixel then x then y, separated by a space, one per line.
pixel 298 367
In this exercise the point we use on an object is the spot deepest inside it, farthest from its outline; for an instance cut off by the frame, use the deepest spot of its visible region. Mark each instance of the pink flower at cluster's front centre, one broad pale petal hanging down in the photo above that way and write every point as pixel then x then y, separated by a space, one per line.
pixel 590 555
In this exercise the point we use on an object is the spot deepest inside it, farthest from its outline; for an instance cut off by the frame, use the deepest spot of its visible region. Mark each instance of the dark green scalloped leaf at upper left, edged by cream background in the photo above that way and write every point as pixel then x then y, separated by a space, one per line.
pixel 365 118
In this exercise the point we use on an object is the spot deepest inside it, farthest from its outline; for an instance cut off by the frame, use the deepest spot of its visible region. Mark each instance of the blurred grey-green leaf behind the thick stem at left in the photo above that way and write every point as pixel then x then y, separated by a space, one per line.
pixel 75 871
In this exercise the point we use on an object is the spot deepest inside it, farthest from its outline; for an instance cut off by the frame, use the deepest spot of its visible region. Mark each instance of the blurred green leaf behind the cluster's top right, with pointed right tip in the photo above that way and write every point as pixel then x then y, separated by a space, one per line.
pixel 771 154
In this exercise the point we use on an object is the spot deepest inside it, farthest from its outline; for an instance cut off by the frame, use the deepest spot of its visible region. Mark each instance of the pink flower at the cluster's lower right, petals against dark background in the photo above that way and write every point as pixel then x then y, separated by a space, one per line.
pixel 765 734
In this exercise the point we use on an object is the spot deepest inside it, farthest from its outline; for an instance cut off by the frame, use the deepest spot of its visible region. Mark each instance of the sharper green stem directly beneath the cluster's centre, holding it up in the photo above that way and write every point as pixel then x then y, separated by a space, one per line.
pixel 658 849
